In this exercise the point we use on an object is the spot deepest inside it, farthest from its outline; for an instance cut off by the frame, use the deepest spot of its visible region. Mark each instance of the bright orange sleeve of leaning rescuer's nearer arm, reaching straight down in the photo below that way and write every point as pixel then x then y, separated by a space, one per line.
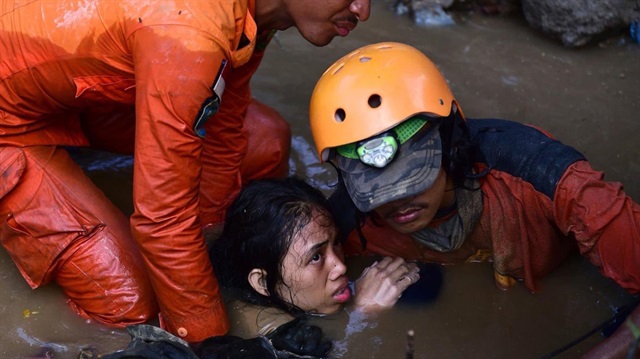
pixel 173 79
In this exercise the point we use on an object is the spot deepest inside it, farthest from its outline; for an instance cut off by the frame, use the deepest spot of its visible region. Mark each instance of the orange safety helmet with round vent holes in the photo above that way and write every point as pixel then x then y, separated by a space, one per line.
pixel 373 89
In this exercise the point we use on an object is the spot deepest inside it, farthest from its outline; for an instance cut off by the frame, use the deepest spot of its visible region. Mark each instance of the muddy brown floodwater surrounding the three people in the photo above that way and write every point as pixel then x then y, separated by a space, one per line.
pixel 497 67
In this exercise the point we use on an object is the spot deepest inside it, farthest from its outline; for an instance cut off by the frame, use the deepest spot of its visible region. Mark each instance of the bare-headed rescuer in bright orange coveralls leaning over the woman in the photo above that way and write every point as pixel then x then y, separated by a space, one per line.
pixel 167 81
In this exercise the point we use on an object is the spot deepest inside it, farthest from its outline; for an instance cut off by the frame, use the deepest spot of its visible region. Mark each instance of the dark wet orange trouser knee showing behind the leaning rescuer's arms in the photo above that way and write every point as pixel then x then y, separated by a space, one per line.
pixel 269 143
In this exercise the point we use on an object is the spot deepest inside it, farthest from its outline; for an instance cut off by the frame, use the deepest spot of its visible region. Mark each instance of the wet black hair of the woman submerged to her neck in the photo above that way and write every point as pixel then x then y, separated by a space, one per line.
pixel 259 229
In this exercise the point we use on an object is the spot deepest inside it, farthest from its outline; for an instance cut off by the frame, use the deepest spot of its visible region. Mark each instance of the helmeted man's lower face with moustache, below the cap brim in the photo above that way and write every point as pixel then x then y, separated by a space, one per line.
pixel 411 214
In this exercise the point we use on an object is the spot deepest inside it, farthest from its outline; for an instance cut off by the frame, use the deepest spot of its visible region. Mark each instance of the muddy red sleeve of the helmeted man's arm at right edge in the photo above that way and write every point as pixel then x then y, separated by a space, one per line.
pixel 604 221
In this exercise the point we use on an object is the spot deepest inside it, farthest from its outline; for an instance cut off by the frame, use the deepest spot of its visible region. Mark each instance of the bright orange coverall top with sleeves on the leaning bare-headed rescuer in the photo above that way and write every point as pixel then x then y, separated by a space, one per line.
pixel 61 76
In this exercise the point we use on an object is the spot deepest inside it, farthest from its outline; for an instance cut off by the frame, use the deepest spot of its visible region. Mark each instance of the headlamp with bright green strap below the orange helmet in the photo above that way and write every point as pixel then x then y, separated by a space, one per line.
pixel 379 150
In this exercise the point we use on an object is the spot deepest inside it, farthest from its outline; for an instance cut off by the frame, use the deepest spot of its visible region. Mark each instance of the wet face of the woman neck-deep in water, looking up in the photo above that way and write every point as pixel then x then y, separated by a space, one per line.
pixel 313 270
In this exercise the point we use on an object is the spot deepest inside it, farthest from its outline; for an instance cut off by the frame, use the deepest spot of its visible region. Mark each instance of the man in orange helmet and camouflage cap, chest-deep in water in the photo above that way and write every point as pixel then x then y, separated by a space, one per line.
pixel 420 181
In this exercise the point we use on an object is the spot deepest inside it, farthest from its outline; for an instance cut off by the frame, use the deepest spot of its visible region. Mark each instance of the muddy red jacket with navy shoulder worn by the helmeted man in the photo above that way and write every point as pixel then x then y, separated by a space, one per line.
pixel 541 199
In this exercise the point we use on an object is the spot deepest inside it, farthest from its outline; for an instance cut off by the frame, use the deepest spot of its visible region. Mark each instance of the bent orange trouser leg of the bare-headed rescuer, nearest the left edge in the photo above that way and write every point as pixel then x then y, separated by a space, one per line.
pixel 57 225
